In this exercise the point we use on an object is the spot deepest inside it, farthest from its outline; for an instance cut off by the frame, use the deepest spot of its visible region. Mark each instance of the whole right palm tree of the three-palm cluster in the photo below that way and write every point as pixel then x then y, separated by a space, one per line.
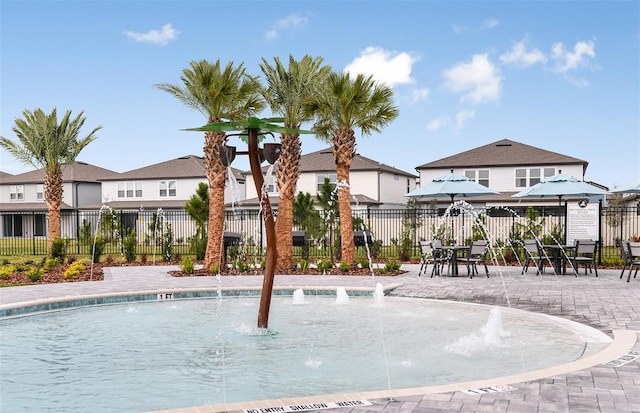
pixel 343 105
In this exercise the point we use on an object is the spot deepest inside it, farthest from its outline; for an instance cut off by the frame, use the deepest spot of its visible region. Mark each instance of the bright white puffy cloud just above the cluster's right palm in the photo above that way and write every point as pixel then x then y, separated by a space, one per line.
pixel 387 67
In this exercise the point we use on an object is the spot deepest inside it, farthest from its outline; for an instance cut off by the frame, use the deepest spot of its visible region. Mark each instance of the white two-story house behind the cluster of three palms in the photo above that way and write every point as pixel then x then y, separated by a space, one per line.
pixel 372 184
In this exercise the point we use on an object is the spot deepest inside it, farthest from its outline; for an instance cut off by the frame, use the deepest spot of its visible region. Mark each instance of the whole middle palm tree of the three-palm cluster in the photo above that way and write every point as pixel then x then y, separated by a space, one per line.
pixel 286 89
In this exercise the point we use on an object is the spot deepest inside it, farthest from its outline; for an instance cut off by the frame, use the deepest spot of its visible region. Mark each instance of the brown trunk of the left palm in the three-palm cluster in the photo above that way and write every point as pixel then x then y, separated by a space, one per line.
pixel 215 171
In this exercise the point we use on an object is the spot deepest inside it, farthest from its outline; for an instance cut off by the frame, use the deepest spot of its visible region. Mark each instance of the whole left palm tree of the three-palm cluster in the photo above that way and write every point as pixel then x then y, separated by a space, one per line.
pixel 218 93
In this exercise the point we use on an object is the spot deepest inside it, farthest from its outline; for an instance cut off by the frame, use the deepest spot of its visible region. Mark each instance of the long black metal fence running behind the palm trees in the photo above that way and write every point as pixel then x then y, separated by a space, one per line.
pixel 24 233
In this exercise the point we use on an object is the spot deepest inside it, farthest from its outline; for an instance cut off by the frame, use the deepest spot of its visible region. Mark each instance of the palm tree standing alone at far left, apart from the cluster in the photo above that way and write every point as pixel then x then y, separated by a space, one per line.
pixel 49 145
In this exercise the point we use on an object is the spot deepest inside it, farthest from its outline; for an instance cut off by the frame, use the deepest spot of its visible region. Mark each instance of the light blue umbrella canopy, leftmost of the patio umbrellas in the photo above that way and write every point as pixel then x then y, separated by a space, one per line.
pixel 451 185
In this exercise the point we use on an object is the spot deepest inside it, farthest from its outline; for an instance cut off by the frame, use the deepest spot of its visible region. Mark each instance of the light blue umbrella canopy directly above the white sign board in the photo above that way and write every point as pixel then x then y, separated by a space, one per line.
pixel 560 185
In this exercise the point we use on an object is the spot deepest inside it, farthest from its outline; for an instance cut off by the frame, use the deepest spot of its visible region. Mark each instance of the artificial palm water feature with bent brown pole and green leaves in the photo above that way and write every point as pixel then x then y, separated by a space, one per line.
pixel 253 128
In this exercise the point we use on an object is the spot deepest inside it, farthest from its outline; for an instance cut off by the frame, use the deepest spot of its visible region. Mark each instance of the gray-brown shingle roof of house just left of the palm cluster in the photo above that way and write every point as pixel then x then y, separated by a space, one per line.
pixel 189 166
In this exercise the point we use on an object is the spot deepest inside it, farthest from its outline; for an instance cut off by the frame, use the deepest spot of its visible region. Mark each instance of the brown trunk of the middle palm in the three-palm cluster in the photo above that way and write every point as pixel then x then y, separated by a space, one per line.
pixel 288 173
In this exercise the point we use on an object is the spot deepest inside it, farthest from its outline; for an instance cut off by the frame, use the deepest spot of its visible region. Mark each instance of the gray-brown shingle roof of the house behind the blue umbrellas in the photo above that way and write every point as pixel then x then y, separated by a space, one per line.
pixel 504 152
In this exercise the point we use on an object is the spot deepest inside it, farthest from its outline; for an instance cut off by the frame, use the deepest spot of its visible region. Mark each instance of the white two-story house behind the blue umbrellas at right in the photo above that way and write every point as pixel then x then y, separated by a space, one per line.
pixel 507 167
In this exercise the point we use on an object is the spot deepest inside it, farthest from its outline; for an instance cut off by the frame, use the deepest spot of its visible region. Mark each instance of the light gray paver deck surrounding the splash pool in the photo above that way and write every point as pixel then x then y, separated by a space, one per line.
pixel 606 303
